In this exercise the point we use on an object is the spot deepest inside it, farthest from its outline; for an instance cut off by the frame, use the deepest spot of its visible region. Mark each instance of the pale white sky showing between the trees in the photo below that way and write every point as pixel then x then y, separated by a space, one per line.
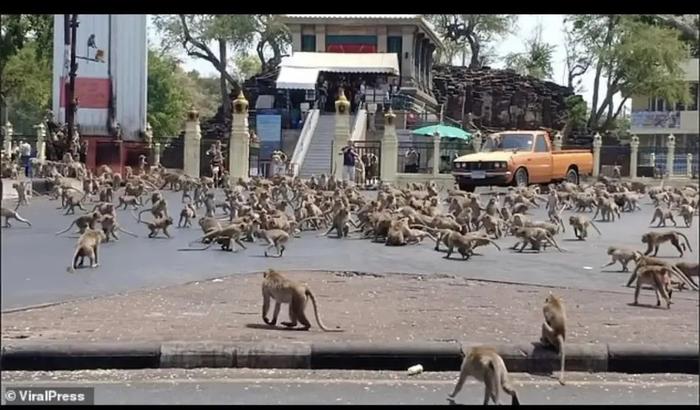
pixel 552 32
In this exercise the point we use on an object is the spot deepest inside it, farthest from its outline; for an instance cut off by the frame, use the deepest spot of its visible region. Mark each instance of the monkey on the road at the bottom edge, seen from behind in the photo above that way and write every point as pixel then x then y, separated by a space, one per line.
pixel 485 365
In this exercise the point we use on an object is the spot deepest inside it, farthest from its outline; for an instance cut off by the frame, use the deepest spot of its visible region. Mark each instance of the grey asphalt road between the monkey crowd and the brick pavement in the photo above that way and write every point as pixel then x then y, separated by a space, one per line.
pixel 38 276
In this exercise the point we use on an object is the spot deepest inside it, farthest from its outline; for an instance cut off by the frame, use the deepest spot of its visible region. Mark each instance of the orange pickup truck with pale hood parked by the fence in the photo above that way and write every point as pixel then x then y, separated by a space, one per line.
pixel 520 158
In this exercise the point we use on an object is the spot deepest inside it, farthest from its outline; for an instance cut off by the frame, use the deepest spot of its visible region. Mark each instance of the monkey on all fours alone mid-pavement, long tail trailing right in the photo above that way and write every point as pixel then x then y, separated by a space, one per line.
pixel 283 290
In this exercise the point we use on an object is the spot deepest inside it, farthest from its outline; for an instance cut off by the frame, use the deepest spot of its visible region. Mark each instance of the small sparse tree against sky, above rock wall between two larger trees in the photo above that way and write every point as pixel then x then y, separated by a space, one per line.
pixel 536 61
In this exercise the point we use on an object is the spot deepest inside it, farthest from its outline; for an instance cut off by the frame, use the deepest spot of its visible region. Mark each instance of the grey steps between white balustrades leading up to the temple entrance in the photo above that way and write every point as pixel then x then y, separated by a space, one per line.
pixel 318 157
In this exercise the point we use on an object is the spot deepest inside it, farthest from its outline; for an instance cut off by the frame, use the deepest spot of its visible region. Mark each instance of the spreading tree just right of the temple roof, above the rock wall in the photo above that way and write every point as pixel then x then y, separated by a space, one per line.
pixel 476 30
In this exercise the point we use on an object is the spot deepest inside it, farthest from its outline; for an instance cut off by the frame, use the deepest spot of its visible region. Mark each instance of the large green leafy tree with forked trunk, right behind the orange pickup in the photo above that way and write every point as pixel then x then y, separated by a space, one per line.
pixel 633 56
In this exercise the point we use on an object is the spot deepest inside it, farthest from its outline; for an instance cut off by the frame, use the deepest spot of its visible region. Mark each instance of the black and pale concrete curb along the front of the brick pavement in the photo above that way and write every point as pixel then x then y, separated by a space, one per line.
pixel 531 358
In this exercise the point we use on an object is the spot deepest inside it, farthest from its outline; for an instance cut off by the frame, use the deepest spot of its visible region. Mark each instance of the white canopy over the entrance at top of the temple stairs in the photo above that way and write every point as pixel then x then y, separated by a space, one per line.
pixel 300 71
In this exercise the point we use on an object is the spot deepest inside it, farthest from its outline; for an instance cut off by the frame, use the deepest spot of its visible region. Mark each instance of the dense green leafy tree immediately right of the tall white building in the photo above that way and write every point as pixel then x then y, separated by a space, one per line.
pixel 168 100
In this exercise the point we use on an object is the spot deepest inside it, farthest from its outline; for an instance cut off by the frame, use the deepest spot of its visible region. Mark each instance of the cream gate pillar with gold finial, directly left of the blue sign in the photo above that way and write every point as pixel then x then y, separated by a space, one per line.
pixel 239 145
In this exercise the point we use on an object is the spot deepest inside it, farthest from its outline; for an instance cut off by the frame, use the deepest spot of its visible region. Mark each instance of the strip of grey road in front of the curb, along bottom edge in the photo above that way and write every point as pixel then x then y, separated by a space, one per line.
pixel 247 386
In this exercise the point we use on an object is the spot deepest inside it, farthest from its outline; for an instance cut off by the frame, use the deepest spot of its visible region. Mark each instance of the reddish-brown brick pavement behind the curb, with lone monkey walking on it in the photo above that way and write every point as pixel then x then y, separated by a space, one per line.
pixel 392 308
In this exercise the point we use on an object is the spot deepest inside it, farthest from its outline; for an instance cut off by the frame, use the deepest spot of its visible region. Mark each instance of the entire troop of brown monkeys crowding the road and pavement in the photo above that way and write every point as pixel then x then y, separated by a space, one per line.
pixel 277 209
